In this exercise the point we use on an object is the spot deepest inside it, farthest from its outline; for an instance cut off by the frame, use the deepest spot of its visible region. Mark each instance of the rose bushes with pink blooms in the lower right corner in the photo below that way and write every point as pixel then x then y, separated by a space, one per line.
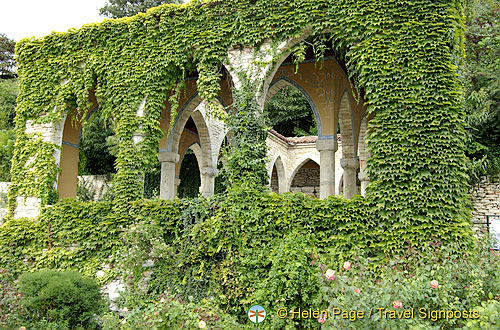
pixel 431 284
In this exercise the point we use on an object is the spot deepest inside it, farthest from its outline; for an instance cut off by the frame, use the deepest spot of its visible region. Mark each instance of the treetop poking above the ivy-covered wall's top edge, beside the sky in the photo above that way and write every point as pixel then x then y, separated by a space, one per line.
pixel 123 8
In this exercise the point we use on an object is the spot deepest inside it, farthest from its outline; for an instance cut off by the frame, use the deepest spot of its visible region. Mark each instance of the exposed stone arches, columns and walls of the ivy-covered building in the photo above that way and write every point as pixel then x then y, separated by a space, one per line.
pixel 318 166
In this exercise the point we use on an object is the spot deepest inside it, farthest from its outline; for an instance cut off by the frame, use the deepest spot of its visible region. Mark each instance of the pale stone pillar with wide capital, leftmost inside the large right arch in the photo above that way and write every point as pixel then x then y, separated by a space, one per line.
pixel 326 150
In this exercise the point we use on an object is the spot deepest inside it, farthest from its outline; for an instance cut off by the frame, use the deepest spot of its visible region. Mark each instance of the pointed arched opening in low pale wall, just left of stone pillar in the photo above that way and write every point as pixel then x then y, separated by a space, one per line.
pixel 306 178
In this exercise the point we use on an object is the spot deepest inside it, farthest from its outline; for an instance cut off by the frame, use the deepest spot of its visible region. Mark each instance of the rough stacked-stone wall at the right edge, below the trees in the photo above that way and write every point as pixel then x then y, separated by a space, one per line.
pixel 485 198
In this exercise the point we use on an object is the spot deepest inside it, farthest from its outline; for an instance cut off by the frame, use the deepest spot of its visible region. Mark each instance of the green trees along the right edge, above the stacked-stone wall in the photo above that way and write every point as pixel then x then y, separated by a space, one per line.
pixel 483 87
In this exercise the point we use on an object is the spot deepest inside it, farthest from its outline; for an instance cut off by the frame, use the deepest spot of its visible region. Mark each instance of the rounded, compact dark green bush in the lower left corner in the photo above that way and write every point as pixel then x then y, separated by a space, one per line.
pixel 61 297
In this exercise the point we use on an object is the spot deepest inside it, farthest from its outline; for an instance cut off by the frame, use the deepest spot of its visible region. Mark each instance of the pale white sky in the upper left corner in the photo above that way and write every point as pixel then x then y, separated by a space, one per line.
pixel 27 18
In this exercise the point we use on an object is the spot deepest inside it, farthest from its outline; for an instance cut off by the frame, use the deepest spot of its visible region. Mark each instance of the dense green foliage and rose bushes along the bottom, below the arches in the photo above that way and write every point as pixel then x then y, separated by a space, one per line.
pixel 204 251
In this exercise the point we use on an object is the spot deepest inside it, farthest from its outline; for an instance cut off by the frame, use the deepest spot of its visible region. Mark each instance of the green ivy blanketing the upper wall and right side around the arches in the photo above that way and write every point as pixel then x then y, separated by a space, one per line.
pixel 403 57
